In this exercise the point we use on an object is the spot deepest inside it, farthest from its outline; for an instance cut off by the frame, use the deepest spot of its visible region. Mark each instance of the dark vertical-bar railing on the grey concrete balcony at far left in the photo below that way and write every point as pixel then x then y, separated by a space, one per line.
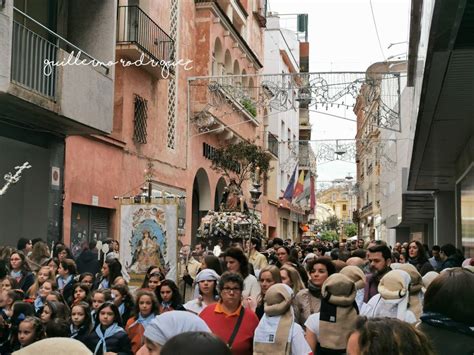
pixel 29 53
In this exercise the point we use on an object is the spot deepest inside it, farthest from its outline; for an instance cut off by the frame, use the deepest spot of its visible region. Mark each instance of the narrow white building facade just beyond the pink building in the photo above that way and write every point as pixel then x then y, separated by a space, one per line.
pixel 282 127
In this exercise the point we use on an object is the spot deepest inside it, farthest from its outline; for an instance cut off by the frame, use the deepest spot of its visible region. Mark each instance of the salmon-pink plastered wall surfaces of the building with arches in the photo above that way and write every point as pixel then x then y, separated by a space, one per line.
pixel 113 166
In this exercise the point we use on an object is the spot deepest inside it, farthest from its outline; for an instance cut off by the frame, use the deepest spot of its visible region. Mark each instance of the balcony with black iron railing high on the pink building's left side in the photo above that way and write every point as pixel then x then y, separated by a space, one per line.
pixel 139 37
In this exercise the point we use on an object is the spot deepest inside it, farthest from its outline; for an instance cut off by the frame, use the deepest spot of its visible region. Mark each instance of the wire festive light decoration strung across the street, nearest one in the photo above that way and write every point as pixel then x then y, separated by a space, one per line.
pixel 218 96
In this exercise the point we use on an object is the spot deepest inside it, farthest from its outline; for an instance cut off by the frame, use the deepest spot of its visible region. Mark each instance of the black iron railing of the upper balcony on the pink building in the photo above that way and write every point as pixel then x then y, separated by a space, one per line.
pixel 136 27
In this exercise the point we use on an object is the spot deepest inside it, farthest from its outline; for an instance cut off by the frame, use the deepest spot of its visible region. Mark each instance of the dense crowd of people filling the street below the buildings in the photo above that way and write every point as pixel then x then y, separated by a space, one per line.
pixel 313 297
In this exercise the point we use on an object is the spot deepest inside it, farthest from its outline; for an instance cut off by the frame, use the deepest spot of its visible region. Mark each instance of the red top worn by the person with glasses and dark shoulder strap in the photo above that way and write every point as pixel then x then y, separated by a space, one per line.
pixel 223 325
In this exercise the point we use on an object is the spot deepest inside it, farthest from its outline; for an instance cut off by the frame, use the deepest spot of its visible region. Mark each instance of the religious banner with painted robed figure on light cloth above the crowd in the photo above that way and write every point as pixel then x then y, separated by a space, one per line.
pixel 148 237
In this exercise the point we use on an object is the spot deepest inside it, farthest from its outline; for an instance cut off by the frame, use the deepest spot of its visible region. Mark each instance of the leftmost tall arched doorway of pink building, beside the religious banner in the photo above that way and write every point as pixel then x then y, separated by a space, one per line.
pixel 201 201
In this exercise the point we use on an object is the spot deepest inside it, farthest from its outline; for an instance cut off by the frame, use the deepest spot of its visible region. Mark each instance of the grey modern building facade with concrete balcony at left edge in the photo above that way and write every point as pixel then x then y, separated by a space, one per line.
pixel 41 103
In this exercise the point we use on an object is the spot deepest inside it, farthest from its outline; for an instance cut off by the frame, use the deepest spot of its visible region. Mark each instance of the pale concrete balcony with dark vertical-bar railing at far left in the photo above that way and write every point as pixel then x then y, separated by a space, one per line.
pixel 47 88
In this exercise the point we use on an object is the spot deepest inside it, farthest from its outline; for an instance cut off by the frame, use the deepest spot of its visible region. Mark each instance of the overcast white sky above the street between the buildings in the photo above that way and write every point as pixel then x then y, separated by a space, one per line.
pixel 343 37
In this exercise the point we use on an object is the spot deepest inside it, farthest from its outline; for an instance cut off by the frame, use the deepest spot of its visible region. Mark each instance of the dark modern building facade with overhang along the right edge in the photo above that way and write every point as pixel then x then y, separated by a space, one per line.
pixel 442 159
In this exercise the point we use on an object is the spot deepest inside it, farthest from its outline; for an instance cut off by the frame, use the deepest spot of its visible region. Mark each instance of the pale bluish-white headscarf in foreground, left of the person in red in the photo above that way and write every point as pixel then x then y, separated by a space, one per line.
pixel 169 324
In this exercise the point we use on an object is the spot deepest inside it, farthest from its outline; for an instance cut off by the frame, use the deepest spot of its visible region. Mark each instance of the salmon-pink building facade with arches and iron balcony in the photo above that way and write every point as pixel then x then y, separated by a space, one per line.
pixel 160 122
